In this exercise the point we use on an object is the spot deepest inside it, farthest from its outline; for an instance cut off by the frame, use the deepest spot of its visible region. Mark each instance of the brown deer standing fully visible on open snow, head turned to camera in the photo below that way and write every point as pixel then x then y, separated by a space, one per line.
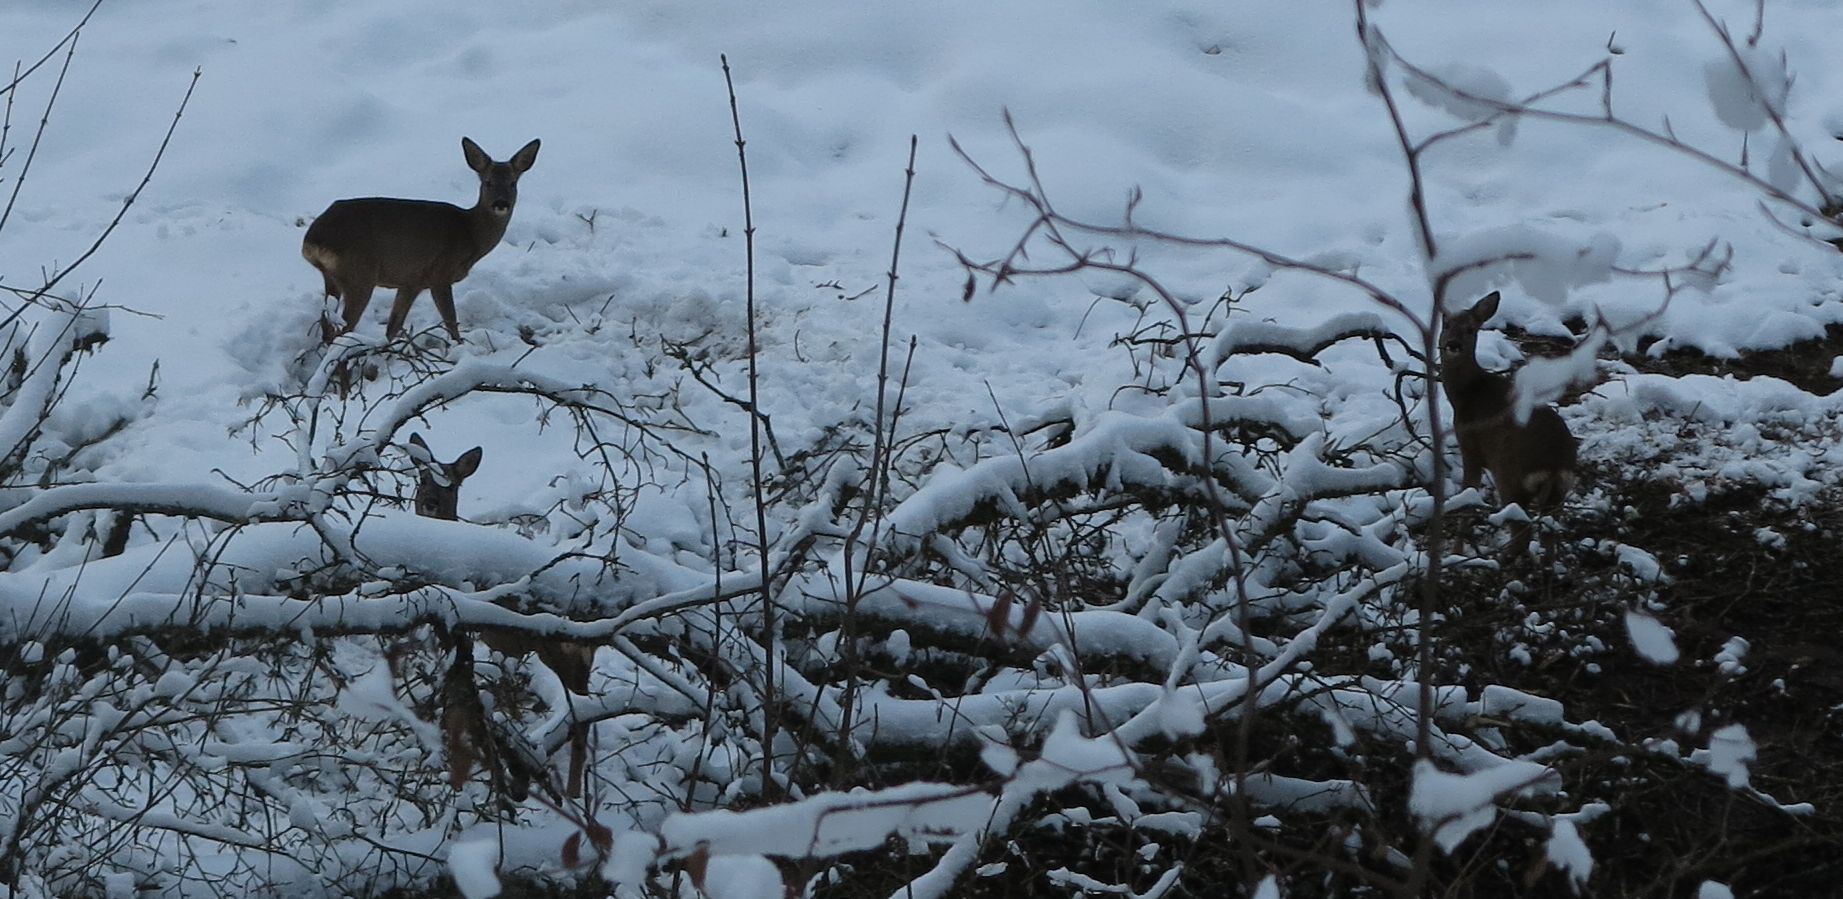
pixel 412 244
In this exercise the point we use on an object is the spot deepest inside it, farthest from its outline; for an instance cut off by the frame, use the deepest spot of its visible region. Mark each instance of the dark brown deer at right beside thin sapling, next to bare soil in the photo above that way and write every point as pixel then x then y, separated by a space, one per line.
pixel 1532 463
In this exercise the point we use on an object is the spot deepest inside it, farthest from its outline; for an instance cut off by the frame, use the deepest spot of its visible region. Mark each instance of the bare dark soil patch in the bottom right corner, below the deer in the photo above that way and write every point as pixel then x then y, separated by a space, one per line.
pixel 1674 826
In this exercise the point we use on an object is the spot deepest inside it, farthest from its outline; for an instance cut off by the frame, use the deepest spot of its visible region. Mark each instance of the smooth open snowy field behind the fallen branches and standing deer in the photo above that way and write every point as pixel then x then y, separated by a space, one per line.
pixel 1232 121
